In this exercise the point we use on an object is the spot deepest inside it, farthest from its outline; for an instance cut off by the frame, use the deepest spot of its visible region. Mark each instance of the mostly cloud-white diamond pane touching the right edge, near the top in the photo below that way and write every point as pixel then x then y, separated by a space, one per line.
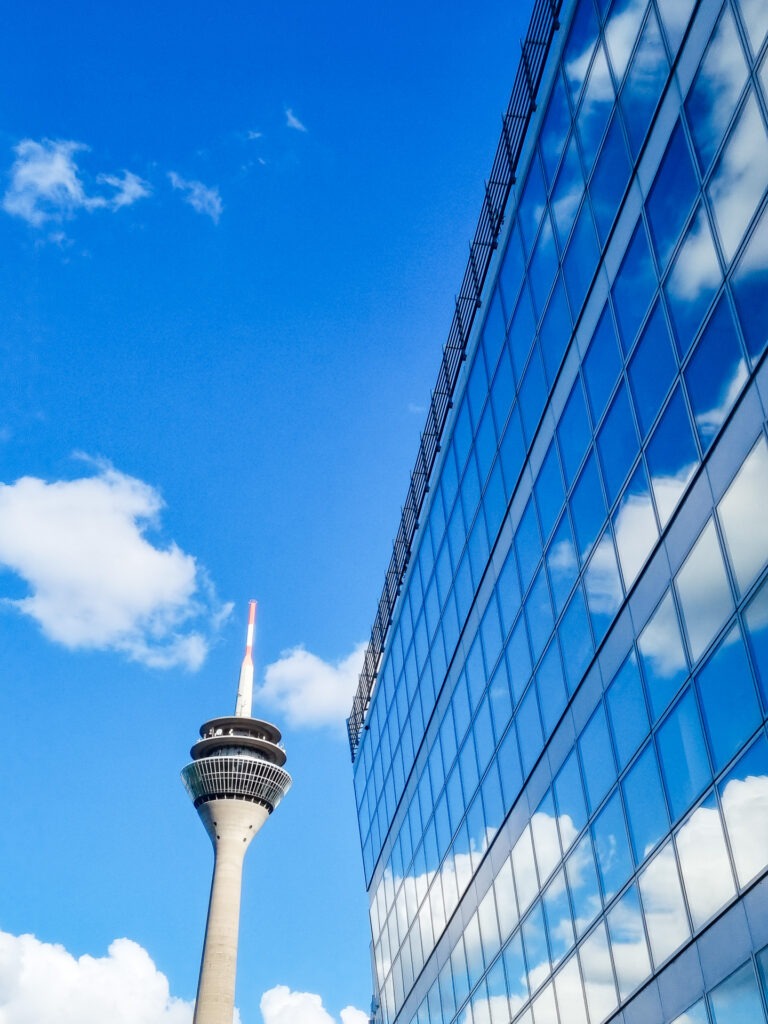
pixel 741 178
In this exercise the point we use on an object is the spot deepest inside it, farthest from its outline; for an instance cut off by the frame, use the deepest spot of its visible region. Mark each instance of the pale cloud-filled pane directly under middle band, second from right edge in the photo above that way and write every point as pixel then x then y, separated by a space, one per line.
pixel 704 590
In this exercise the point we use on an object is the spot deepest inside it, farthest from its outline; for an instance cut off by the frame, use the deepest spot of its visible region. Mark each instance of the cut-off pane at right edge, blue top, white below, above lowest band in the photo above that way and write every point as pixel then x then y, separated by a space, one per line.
pixel 744 795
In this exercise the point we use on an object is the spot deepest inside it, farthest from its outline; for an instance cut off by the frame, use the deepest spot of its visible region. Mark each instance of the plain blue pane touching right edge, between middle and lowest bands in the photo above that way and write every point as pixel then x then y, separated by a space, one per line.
pixel 729 700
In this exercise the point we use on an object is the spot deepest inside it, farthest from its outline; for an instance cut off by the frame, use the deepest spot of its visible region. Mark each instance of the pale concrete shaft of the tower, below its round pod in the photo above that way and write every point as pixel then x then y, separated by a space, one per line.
pixel 232 825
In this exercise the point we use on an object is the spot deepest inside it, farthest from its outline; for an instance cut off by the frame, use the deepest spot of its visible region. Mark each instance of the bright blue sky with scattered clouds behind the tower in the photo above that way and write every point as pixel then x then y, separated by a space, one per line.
pixel 232 239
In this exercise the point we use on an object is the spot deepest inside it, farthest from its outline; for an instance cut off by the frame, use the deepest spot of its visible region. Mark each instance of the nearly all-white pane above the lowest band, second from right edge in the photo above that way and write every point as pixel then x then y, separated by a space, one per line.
pixel 705 864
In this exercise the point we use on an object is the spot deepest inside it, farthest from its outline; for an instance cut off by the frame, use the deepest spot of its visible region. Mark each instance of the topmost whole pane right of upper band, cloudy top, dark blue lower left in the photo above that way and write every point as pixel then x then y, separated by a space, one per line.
pixel 714 95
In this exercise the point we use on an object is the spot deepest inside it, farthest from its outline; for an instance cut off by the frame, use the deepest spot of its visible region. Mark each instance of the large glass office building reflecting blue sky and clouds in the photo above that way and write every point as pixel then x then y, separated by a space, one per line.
pixel 560 742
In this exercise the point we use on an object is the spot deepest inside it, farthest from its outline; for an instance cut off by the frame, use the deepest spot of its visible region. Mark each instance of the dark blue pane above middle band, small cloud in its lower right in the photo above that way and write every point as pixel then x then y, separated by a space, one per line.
pixel 716 374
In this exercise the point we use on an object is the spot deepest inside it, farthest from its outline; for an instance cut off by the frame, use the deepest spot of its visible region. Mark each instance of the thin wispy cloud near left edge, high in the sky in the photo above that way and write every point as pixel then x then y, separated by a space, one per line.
pixel 46 184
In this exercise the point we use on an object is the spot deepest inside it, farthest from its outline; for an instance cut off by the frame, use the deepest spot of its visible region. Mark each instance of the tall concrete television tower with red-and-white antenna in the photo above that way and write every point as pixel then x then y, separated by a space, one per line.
pixel 236 780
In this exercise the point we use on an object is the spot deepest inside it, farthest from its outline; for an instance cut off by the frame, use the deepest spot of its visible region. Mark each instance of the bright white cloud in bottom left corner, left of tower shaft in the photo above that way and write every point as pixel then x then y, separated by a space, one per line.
pixel 47 985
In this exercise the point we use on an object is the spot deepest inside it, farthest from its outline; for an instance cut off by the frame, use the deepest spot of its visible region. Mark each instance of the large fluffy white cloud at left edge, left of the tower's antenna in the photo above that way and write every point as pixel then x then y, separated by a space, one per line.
pixel 95 579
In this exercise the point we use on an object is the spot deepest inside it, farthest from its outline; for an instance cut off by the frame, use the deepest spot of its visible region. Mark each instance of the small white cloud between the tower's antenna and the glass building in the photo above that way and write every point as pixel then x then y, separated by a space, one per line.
pixel 310 692
